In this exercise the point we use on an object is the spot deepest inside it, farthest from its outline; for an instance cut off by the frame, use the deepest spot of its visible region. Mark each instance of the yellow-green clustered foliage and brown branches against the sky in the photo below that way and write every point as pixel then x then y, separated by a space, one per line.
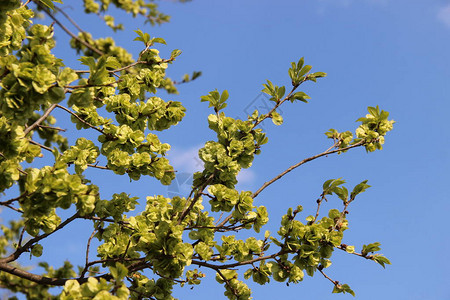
pixel 164 244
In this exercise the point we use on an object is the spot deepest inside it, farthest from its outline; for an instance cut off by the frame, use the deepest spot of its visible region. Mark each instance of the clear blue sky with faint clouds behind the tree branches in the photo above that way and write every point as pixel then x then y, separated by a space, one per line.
pixel 395 54
